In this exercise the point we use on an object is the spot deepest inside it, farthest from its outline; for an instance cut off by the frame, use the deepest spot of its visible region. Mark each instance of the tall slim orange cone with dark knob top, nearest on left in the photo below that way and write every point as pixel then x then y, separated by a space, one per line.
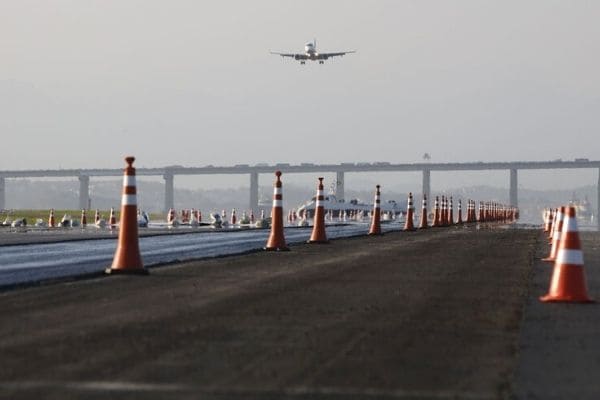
pixel 128 259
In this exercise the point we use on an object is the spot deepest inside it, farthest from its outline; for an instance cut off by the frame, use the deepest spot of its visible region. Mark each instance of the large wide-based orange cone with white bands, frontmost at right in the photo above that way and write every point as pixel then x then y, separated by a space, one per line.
pixel 568 277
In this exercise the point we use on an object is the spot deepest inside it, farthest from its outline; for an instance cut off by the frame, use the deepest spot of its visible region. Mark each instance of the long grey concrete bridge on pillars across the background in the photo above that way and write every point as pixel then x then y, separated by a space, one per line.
pixel 169 173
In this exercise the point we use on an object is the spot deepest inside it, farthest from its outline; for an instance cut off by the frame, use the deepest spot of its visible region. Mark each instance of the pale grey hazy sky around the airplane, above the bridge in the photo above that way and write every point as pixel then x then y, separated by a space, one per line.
pixel 84 82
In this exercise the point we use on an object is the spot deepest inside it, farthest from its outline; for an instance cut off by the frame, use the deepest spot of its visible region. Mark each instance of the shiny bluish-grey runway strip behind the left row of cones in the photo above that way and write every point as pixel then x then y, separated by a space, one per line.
pixel 35 256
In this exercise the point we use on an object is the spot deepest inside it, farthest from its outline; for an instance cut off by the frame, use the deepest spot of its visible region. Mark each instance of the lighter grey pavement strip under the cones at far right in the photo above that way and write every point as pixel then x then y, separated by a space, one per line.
pixel 560 343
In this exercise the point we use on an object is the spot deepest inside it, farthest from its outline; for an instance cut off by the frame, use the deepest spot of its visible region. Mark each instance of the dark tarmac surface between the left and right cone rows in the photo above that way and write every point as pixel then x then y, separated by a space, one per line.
pixel 436 314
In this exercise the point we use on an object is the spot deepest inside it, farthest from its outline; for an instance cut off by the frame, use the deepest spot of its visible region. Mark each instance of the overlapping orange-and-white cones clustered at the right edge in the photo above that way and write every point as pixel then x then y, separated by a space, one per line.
pixel 568 283
